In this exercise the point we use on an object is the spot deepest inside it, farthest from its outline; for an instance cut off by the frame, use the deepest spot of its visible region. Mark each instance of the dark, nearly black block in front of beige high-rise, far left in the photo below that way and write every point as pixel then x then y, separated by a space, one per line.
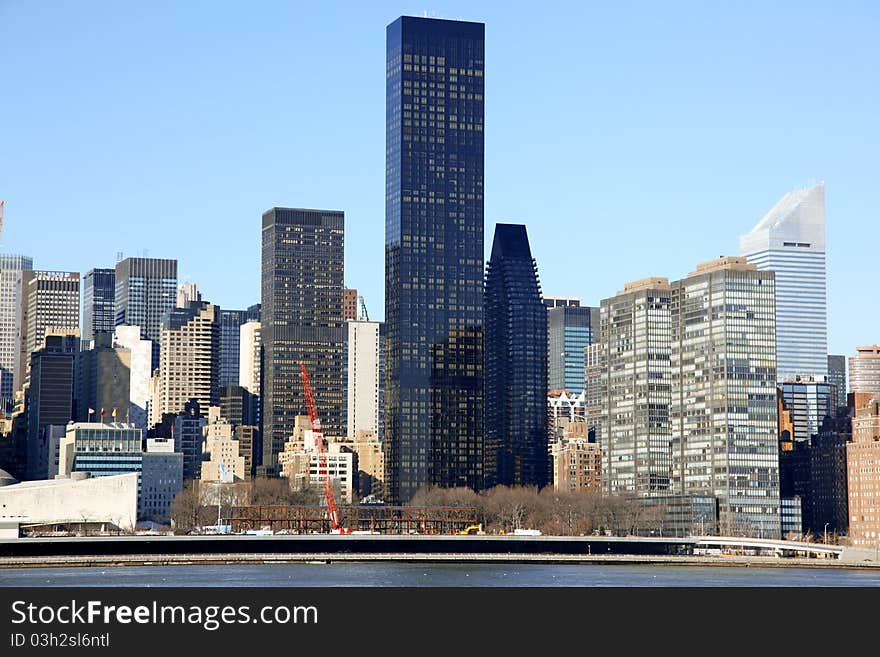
pixel 49 396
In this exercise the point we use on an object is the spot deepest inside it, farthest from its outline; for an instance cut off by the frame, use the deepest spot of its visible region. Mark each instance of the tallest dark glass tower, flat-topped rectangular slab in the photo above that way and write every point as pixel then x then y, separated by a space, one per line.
pixel 434 255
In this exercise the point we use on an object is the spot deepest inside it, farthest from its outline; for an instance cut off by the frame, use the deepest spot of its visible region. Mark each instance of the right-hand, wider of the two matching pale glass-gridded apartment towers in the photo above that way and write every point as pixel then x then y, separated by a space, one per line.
pixel 723 407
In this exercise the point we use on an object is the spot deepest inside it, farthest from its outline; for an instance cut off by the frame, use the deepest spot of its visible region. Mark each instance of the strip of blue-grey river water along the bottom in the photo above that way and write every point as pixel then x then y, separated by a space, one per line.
pixel 409 574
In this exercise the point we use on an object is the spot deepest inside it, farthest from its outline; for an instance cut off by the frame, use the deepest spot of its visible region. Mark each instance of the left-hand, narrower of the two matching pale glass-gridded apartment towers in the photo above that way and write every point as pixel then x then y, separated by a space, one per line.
pixel 636 382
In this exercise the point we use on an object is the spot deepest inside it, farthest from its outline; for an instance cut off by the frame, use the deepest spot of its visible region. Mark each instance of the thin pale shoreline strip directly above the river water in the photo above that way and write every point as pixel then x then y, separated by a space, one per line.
pixel 256 559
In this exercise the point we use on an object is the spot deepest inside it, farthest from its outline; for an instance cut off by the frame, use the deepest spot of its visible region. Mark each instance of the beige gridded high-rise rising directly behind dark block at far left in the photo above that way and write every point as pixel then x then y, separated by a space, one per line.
pixel 50 302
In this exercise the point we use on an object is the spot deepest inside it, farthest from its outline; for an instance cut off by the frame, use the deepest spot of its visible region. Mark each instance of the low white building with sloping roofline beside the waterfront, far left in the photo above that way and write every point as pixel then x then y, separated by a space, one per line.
pixel 79 499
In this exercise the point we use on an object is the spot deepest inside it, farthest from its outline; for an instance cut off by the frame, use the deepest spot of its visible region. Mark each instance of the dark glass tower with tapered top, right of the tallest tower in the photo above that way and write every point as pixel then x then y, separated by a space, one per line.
pixel 516 451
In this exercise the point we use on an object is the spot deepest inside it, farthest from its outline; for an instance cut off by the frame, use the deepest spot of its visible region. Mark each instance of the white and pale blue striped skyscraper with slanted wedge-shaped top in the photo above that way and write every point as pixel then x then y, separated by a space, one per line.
pixel 790 240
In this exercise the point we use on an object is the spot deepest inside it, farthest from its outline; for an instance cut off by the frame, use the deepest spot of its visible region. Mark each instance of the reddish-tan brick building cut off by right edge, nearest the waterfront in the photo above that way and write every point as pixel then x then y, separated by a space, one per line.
pixel 863 473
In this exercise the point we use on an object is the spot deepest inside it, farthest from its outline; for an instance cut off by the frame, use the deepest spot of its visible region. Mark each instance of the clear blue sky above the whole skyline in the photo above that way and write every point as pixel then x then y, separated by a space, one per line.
pixel 633 138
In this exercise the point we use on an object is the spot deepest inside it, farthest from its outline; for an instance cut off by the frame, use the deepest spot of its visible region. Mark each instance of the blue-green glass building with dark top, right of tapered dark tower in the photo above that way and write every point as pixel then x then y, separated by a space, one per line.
pixel 570 329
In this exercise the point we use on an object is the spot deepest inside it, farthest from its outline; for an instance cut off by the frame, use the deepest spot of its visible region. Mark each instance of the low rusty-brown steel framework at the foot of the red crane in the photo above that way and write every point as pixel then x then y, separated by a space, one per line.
pixel 378 519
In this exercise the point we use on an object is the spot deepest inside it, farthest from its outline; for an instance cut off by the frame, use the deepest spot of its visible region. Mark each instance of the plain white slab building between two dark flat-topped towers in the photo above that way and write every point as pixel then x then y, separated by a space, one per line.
pixel 362 377
